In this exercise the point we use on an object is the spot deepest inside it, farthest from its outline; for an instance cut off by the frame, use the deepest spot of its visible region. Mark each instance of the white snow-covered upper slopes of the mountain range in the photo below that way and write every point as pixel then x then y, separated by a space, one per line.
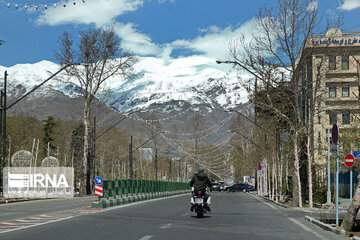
pixel 161 86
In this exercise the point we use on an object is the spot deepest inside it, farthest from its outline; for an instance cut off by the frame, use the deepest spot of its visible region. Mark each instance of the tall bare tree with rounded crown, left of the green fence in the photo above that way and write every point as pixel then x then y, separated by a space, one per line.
pixel 101 53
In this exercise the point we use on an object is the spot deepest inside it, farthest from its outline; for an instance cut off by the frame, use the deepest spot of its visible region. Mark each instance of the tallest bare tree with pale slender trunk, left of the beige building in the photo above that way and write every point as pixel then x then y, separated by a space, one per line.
pixel 277 41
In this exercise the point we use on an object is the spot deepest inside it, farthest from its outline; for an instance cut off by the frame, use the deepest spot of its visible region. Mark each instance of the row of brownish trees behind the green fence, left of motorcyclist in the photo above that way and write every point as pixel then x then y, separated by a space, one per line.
pixel 64 140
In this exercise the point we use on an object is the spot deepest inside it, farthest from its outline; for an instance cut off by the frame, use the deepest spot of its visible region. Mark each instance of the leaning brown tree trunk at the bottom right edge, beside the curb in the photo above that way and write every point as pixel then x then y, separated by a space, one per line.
pixel 348 223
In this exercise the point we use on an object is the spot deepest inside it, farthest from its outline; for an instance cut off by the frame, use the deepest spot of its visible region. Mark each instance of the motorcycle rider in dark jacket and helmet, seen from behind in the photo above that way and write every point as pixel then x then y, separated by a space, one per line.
pixel 199 182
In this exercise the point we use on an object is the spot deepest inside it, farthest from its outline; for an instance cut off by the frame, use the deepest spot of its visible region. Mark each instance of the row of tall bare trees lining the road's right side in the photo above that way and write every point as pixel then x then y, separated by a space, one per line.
pixel 284 102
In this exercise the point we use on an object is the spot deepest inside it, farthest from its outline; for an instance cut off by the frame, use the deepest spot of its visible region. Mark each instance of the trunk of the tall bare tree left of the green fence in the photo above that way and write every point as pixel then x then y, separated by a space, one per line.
pixel 84 182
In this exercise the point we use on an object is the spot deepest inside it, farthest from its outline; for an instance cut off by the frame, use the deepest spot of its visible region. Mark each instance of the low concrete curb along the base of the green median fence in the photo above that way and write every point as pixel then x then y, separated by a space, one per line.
pixel 104 203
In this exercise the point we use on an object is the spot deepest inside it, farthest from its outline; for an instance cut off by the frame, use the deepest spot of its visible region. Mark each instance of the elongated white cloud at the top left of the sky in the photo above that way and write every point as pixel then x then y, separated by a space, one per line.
pixel 91 12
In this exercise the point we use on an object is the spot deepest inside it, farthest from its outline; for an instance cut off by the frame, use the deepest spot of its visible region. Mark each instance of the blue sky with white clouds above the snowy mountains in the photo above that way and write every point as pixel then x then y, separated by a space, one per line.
pixel 159 28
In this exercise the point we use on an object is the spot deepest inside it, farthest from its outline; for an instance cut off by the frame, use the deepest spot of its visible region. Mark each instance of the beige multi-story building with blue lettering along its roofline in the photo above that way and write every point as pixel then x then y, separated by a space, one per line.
pixel 330 85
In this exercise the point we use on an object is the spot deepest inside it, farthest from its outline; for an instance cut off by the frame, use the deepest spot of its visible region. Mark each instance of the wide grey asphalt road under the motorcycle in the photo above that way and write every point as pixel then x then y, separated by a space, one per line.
pixel 233 216
